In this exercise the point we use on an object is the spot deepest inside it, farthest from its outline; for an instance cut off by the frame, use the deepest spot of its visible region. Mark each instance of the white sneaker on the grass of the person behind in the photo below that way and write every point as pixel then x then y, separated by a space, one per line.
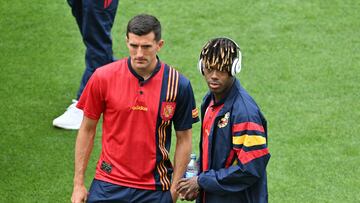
pixel 71 119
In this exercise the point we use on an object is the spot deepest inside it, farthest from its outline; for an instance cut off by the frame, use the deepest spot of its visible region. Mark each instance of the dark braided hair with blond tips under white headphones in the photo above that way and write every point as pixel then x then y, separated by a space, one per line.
pixel 219 53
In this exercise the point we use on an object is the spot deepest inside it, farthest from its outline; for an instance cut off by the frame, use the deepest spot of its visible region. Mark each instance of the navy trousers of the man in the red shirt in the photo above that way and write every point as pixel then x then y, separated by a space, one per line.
pixel 101 191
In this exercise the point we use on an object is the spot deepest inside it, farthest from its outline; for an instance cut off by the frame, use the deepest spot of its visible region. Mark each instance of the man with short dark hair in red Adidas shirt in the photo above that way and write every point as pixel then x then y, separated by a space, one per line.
pixel 140 98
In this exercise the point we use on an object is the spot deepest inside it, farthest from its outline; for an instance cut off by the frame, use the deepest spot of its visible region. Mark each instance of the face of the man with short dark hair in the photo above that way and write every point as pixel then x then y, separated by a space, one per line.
pixel 143 50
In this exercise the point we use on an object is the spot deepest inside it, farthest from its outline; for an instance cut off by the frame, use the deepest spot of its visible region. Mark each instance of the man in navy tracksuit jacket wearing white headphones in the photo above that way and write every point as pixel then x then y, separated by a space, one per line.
pixel 233 146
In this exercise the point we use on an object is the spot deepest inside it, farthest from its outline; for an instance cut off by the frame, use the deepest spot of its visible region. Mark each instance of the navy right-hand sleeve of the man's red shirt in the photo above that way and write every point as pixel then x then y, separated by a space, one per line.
pixel 186 112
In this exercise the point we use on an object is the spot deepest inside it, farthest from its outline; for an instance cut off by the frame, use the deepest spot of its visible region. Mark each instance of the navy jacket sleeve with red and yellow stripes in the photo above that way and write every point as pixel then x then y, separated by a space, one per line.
pixel 247 160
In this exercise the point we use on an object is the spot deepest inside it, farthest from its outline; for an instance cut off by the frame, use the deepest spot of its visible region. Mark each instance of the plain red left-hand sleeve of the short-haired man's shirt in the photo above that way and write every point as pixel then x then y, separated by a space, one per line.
pixel 91 99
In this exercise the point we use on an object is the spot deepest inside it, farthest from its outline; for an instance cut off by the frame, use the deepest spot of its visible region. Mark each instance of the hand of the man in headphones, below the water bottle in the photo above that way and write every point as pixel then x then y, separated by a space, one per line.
pixel 188 188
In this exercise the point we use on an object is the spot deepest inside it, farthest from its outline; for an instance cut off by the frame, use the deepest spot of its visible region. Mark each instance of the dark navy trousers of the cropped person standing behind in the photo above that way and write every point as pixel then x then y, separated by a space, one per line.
pixel 95 19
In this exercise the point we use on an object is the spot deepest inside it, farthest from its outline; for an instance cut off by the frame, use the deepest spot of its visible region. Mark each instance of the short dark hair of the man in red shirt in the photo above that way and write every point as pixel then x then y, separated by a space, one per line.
pixel 143 24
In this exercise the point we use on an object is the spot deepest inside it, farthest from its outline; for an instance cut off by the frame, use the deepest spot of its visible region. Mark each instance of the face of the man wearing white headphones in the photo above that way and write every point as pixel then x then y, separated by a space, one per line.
pixel 218 81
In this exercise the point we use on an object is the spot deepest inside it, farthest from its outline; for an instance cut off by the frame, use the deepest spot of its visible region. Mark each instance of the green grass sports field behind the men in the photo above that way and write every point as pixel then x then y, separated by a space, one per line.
pixel 301 64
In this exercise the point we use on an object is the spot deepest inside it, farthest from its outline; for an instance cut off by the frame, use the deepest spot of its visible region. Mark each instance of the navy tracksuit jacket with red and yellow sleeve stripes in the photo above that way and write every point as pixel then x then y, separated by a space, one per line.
pixel 238 152
